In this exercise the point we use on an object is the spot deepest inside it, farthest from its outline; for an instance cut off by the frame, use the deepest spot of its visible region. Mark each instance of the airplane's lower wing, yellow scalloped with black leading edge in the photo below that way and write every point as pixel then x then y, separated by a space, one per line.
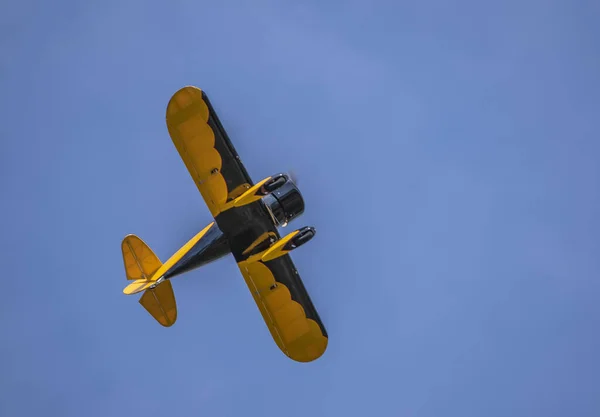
pixel 286 307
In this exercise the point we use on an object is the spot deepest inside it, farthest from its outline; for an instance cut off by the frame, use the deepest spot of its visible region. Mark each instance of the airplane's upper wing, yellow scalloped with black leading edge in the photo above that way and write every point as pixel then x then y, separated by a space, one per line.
pixel 205 148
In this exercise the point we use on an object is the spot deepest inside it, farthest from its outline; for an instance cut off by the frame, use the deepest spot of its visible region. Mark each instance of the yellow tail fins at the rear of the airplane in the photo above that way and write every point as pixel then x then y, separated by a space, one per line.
pixel 142 267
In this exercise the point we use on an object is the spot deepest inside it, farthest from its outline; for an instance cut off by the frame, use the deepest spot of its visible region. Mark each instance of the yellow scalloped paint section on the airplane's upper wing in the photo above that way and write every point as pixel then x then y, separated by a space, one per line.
pixel 187 117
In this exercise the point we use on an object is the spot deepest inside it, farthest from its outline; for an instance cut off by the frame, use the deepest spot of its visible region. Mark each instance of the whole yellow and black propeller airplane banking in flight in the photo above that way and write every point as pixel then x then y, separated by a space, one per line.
pixel 246 218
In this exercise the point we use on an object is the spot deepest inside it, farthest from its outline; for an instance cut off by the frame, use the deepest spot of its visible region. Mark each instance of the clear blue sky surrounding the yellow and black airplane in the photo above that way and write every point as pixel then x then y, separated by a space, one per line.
pixel 448 156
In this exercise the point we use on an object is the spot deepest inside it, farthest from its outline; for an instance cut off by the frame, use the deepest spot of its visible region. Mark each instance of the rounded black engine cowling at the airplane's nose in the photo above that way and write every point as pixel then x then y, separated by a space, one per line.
pixel 282 199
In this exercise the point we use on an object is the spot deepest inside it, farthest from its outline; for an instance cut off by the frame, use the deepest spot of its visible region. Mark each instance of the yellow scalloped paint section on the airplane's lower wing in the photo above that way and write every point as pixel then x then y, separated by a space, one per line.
pixel 297 336
